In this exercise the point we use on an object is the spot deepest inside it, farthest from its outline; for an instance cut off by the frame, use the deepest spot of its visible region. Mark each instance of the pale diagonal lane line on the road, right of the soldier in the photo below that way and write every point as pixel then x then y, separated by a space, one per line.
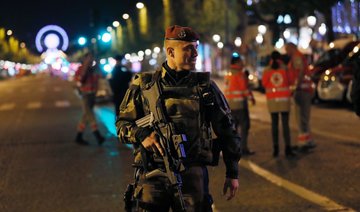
pixel 318 199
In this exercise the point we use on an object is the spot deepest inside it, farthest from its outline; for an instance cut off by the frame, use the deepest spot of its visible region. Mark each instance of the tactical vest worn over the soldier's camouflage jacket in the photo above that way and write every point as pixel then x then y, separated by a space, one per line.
pixel 188 107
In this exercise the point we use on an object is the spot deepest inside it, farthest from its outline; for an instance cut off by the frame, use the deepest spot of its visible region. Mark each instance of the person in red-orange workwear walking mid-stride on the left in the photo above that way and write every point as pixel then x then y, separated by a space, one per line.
pixel 87 77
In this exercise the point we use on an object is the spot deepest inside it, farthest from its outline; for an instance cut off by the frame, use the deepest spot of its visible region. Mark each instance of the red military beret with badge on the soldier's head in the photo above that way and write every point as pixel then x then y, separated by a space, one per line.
pixel 181 33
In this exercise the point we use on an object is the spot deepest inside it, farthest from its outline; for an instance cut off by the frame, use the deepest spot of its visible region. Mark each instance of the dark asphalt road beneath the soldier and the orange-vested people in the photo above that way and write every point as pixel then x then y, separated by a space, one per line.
pixel 42 169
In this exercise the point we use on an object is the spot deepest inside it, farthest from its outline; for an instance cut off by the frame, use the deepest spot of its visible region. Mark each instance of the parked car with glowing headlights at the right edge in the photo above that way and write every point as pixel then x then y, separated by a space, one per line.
pixel 335 83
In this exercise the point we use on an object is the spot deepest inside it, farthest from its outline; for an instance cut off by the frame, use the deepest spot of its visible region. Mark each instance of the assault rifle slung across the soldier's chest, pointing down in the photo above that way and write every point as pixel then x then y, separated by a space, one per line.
pixel 171 143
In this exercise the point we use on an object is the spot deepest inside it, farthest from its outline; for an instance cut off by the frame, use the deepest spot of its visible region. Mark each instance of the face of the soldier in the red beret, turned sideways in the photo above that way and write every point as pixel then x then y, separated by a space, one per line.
pixel 185 54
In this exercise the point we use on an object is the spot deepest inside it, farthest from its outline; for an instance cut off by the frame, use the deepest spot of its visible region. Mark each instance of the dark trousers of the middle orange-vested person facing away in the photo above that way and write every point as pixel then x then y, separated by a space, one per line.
pixel 285 127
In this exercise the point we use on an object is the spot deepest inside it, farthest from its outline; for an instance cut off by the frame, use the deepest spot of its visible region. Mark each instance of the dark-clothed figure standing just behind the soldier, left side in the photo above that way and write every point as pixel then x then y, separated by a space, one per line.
pixel 119 82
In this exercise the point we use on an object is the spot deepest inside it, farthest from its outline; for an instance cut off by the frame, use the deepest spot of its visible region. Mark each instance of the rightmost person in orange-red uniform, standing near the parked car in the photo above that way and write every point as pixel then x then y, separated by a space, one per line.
pixel 303 92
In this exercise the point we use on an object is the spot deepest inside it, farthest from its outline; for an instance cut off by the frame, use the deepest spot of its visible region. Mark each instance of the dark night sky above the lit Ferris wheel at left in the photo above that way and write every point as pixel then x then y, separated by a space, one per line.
pixel 27 18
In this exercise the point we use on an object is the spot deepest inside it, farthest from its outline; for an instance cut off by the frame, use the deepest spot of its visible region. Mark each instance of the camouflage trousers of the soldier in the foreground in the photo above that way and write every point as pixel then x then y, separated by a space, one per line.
pixel 157 194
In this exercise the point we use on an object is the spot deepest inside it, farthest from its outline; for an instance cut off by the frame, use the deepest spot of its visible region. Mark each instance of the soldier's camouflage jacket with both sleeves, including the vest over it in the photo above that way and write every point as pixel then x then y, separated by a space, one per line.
pixel 190 111
